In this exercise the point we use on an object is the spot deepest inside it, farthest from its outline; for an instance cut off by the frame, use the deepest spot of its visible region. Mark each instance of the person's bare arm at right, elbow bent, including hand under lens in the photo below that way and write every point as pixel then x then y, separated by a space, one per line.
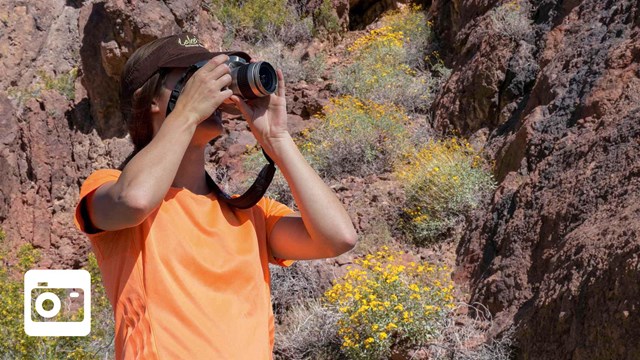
pixel 323 228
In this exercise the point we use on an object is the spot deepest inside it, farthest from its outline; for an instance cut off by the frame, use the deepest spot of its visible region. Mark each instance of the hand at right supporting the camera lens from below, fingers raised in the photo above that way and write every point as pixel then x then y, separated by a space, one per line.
pixel 267 116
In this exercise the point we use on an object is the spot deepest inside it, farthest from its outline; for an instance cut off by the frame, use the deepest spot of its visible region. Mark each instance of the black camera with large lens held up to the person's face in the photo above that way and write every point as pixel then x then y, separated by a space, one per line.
pixel 251 80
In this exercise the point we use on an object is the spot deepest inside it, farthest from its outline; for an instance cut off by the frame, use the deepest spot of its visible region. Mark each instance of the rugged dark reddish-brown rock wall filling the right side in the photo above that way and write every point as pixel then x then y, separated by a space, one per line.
pixel 556 250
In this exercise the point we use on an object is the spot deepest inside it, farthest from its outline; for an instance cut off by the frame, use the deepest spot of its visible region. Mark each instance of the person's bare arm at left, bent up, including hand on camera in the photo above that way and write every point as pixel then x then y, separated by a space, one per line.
pixel 149 174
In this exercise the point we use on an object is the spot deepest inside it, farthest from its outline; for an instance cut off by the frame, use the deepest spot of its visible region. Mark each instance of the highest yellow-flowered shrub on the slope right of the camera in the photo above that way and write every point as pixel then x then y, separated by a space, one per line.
pixel 386 63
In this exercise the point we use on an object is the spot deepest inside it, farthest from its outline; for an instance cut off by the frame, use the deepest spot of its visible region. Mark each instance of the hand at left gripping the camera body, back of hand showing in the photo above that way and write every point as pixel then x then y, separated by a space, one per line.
pixel 203 93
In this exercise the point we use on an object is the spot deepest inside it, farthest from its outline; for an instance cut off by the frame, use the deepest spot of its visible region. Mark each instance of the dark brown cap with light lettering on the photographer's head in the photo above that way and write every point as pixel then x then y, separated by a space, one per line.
pixel 172 51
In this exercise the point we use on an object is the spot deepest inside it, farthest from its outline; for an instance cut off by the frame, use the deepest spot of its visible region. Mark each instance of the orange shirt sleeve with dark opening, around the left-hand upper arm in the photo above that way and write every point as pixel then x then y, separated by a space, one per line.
pixel 94 181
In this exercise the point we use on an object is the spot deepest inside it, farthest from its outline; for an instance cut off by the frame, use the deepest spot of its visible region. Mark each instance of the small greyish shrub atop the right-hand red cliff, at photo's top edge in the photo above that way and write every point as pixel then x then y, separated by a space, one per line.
pixel 512 20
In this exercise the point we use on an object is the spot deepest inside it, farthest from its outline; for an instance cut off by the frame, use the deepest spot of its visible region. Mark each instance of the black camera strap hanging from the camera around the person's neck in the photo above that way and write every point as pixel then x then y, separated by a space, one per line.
pixel 262 182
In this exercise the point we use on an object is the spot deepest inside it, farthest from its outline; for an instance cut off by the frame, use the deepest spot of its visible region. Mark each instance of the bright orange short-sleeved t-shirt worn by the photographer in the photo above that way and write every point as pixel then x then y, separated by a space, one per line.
pixel 192 280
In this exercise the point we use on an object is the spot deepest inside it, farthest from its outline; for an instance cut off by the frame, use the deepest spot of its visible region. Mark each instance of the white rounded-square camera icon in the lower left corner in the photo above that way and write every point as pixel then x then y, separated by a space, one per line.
pixel 42 286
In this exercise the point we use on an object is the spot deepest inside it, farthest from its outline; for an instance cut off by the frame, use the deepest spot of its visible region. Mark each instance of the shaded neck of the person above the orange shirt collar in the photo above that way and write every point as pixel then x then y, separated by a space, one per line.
pixel 191 172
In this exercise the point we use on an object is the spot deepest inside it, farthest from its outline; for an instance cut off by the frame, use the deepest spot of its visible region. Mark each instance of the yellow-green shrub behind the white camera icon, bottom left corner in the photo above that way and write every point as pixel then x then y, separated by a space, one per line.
pixel 16 344
